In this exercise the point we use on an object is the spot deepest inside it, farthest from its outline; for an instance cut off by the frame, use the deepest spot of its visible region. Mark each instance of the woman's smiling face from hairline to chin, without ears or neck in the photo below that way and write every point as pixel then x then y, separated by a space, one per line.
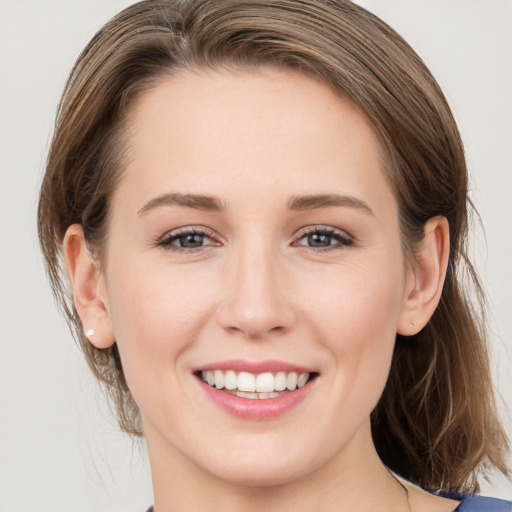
pixel 253 237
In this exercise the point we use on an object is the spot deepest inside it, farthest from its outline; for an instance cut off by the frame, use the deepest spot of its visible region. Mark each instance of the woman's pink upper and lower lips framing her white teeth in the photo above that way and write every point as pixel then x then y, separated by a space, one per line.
pixel 260 409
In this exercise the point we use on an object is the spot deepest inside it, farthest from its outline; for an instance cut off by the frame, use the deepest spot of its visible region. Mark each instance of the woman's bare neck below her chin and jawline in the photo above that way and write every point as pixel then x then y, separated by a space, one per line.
pixel 354 479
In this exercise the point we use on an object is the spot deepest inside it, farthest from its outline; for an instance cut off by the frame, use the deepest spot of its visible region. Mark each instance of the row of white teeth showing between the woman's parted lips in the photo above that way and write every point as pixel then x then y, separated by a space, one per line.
pixel 255 386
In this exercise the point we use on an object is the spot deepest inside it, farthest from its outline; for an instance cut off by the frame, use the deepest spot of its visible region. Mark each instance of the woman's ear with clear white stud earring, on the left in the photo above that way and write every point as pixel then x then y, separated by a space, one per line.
pixel 89 288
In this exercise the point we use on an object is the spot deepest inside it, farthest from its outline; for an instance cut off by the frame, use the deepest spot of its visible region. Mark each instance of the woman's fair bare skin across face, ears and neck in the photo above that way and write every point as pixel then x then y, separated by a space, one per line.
pixel 256 290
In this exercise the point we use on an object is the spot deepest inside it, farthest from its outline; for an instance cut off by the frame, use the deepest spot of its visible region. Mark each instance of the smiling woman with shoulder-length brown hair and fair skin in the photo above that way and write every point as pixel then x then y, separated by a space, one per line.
pixel 262 209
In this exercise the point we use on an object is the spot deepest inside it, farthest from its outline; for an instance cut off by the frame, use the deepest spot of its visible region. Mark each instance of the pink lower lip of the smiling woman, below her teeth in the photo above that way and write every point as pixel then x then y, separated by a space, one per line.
pixel 257 409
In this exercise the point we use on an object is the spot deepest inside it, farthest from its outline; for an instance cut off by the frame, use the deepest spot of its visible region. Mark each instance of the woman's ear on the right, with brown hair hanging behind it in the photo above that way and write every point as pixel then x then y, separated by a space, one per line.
pixel 426 277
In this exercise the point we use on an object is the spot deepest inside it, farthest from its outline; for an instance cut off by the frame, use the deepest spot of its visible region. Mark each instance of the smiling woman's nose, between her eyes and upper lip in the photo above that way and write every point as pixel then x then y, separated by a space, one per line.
pixel 257 301
